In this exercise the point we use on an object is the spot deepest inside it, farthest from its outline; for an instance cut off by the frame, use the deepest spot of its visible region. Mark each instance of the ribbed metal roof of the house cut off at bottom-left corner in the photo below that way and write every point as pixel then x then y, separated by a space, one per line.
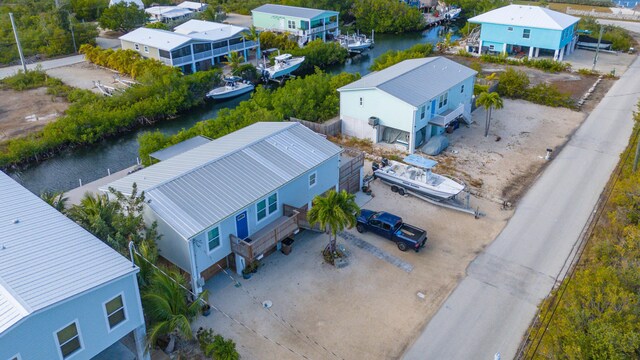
pixel 45 257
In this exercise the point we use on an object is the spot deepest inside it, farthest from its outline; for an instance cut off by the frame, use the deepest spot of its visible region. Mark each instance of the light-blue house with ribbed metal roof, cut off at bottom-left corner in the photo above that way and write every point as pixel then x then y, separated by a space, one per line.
pixel 64 294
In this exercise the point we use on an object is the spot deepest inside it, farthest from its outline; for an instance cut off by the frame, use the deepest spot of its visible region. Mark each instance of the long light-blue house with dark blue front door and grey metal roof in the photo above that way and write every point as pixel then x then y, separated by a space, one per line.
pixel 230 200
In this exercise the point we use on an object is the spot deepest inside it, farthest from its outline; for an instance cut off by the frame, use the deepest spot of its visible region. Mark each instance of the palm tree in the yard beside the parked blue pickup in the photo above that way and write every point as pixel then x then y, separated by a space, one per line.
pixel 334 212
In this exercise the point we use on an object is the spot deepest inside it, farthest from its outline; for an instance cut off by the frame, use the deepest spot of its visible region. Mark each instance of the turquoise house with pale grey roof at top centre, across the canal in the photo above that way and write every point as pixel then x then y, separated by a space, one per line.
pixel 307 24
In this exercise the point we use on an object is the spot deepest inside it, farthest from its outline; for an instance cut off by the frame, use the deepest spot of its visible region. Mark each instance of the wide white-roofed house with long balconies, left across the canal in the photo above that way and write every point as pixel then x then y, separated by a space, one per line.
pixel 193 46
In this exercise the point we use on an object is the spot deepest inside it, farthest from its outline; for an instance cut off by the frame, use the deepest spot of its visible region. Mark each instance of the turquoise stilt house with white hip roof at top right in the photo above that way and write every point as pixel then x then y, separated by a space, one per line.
pixel 523 30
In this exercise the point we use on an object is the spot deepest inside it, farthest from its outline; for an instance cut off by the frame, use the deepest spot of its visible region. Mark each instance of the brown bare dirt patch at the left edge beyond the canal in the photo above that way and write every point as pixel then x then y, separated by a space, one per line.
pixel 27 111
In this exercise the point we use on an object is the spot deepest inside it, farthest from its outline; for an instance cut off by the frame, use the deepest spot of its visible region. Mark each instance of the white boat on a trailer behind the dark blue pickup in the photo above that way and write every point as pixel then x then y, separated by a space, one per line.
pixel 415 176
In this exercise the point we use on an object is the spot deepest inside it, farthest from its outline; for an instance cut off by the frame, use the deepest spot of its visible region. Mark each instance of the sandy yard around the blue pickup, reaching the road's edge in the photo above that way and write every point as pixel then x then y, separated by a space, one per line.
pixel 367 310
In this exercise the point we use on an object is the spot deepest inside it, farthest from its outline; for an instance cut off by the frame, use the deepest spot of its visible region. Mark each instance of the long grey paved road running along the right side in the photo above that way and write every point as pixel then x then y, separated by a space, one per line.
pixel 491 308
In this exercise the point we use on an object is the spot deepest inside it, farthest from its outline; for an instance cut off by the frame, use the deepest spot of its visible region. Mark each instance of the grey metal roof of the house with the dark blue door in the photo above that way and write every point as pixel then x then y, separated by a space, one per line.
pixel 203 186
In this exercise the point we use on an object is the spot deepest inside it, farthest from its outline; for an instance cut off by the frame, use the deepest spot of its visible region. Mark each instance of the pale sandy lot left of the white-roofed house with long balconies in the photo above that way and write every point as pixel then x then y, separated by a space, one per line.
pixel 83 75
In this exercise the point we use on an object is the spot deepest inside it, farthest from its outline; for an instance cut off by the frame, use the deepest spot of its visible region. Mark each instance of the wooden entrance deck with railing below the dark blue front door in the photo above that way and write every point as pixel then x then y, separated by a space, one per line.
pixel 266 238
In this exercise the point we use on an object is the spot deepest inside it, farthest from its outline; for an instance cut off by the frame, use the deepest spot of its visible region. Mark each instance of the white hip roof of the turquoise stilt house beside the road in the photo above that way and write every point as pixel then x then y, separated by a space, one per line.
pixel 528 16
